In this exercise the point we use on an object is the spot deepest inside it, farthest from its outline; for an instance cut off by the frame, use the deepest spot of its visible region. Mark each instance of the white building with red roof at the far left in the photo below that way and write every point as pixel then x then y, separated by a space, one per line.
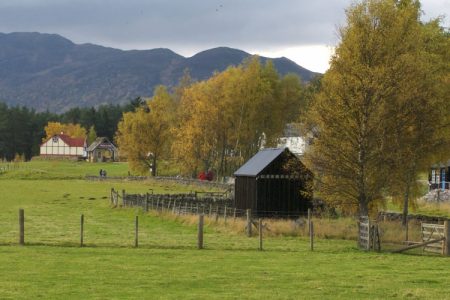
pixel 62 145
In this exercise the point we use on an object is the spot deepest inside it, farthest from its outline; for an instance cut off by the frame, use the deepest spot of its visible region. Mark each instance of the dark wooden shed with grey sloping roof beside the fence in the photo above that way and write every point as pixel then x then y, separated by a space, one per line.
pixel 274 183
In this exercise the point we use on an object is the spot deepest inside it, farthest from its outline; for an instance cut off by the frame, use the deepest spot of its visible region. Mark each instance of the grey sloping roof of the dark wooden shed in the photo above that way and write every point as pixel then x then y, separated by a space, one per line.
pixel 259 162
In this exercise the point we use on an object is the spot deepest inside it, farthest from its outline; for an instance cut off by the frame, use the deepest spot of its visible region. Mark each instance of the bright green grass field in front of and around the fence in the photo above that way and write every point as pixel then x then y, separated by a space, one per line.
pixel 167 264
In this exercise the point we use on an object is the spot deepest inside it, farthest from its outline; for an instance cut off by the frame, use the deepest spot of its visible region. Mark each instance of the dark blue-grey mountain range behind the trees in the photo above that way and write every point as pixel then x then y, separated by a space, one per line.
pixel 48 71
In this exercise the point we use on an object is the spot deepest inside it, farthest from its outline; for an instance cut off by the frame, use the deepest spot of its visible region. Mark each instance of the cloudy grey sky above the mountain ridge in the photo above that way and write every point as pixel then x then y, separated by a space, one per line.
pixel 302 30
